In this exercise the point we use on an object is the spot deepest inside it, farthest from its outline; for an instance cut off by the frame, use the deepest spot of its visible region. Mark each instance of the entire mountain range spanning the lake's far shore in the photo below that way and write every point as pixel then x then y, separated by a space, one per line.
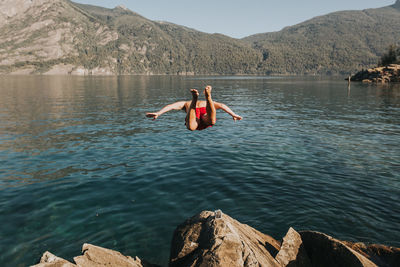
pixel 63 37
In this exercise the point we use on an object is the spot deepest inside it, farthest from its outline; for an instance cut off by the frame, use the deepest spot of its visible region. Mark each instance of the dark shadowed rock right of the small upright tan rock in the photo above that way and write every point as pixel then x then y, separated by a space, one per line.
pixel 324 250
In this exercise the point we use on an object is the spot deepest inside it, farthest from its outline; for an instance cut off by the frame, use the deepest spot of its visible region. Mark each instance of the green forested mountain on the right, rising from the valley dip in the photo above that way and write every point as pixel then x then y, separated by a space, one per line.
pixel 339 42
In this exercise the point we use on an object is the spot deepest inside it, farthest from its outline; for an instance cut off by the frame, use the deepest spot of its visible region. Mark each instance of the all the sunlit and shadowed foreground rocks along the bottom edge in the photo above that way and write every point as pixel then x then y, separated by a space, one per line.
pixel 215 239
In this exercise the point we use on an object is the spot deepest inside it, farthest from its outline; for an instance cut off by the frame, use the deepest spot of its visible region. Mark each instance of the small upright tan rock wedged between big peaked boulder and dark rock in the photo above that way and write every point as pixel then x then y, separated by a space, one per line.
pixel 292 251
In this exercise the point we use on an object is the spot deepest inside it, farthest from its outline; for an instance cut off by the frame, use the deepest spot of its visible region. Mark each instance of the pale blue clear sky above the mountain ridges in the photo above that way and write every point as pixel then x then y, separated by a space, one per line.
pixel 237 18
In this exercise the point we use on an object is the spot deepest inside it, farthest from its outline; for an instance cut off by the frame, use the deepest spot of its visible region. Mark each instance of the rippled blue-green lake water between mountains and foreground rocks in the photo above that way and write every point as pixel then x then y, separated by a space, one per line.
pixel 79 162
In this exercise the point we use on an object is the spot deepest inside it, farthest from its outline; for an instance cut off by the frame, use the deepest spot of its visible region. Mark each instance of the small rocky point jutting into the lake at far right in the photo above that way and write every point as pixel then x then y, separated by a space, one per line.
pixel 390 73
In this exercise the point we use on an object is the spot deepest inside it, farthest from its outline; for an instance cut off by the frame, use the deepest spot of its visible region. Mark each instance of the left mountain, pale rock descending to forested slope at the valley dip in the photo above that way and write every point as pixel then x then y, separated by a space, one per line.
pixel 61 36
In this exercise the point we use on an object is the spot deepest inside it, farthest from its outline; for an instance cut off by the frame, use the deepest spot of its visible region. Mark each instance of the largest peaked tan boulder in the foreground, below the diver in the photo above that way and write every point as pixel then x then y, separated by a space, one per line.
pixel 204 240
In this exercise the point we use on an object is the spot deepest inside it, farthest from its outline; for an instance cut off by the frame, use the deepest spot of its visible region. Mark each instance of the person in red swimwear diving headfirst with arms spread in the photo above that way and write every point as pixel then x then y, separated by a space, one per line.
pixel 199 114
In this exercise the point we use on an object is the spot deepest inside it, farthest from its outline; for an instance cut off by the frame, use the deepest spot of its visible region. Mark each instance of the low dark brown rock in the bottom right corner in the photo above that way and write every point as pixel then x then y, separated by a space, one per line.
pixel 379 254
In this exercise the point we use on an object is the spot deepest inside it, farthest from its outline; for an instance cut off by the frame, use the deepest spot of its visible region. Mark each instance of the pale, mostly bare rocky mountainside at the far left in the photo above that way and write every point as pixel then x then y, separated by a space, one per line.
pixel 39 35
